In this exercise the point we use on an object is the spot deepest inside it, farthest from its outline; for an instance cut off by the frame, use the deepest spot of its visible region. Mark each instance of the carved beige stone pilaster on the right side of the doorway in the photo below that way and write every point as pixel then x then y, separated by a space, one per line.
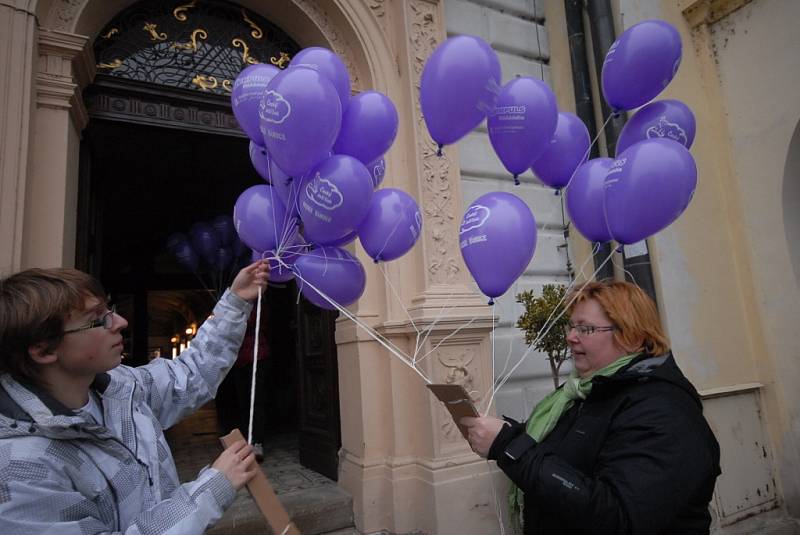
pixel 402 458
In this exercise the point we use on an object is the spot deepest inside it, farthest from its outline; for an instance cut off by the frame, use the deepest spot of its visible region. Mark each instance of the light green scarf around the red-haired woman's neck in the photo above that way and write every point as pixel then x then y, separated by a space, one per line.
pixel 547 412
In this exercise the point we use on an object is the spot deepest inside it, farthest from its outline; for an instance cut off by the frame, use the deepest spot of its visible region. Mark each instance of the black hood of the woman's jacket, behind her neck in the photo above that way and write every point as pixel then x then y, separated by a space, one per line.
pixel 648 367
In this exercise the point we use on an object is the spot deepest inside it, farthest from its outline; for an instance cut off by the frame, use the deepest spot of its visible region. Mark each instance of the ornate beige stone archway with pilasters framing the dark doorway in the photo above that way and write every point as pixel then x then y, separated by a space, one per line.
pixel 406 469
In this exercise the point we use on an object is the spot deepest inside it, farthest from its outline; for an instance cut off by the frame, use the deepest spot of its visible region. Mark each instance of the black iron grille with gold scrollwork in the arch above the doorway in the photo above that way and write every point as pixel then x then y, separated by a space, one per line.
pixel 200 45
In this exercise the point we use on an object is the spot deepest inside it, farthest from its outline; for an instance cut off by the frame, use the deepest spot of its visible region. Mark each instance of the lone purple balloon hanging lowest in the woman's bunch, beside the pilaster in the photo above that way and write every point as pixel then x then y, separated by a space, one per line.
pixel 498 237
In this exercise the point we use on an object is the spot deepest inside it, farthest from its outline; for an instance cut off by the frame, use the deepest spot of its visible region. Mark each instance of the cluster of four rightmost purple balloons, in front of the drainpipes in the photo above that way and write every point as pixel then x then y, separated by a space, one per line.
pixel 653 177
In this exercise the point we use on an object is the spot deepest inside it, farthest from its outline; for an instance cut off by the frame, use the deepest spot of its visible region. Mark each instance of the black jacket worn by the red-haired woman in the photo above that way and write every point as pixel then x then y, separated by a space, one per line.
pixel 636 457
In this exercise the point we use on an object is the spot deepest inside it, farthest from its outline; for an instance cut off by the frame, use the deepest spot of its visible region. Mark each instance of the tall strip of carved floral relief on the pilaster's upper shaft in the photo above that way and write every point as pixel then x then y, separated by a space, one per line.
pixel 438 203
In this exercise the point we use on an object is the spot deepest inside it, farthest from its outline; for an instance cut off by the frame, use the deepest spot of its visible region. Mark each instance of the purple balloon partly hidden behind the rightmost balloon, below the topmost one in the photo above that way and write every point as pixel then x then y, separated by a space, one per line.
pixel 670 119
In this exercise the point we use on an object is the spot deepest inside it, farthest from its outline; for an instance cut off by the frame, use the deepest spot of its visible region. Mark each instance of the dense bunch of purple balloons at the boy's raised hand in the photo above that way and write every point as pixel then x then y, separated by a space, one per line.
pixel 321 152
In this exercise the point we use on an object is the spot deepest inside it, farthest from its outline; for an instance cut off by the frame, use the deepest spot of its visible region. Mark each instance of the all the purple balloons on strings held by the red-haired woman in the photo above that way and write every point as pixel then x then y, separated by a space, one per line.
pixel 628 199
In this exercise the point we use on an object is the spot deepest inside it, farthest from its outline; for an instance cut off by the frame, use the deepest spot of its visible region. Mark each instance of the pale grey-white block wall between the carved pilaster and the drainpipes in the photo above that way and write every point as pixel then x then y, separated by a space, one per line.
pixel 516 31
